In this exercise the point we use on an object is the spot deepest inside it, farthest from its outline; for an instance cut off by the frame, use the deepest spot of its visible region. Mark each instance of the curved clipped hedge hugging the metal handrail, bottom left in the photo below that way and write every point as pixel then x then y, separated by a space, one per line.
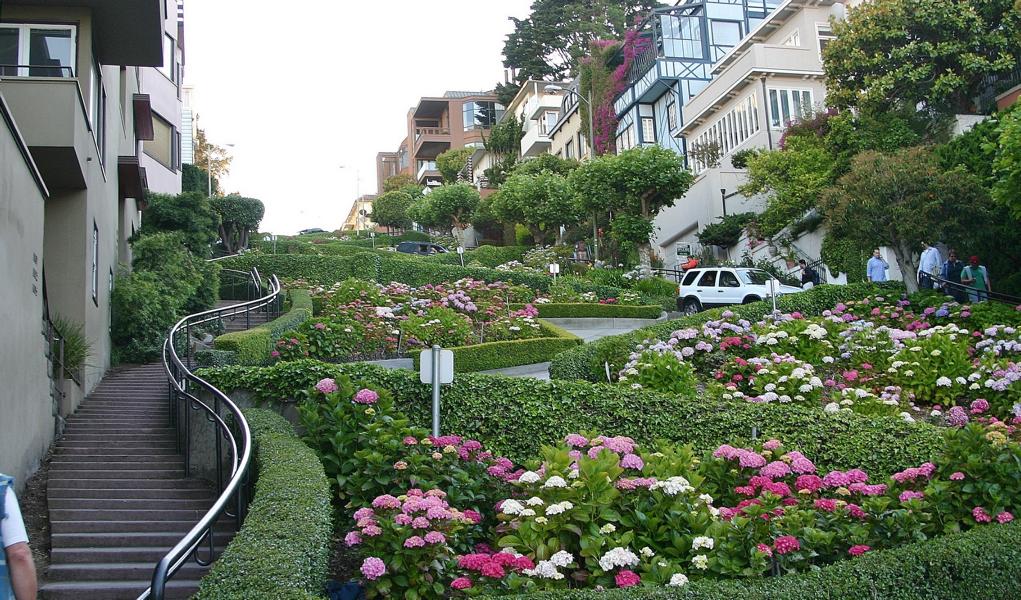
pixel 284 547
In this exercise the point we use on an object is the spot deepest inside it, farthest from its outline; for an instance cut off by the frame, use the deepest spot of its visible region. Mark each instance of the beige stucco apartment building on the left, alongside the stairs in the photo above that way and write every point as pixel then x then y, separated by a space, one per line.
pixel 76 120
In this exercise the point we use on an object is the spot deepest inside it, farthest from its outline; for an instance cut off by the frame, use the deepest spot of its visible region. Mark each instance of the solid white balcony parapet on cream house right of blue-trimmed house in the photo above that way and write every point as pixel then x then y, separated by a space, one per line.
pixel 742 70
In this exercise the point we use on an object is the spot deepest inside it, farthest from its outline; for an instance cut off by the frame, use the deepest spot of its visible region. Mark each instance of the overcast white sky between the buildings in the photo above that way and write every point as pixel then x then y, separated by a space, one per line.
pixel 307 86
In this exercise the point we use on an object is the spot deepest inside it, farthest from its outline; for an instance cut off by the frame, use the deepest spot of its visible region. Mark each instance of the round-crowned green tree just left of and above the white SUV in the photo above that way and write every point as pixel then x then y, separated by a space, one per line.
pixel 636 185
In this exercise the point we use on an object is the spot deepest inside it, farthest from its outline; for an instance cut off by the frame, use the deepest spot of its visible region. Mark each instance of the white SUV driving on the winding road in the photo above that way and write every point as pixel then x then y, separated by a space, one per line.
pixel 710 287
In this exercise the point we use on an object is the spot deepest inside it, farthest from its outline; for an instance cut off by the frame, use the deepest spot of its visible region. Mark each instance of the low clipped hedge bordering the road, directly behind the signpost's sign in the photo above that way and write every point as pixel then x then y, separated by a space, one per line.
pixel 511 353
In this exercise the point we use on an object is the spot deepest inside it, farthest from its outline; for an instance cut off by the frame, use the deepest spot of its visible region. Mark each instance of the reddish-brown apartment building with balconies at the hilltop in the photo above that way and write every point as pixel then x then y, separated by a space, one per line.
pixel 435 125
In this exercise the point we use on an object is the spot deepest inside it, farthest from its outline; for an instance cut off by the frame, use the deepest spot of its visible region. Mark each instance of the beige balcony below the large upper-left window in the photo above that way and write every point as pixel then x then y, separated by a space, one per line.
pixel 54 121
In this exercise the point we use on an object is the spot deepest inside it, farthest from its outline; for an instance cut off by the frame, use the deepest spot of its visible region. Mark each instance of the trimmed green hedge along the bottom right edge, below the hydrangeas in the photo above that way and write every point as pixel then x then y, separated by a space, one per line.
pixel 984 563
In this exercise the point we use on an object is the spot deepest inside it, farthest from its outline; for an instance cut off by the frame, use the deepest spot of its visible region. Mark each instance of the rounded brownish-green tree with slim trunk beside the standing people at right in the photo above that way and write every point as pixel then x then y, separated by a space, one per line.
pixel 904 198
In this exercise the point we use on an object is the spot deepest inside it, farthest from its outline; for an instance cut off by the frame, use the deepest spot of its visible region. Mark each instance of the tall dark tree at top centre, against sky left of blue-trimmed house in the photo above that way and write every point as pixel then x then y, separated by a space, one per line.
pixel 551 42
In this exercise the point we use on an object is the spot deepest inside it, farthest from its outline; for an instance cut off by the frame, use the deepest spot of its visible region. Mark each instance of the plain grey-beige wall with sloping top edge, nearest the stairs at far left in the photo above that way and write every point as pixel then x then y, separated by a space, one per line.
pixel 26 406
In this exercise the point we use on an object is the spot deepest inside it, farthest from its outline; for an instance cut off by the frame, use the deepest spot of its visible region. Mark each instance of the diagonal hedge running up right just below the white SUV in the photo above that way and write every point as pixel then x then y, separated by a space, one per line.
pixel 587 363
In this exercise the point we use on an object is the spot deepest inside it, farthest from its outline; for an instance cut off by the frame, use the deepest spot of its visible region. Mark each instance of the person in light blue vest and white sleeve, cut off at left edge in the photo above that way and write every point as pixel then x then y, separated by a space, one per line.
pixel 18 571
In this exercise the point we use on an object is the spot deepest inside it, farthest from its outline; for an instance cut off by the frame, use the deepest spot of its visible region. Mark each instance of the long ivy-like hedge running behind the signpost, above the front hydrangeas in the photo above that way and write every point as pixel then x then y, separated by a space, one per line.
pixel 516 417
